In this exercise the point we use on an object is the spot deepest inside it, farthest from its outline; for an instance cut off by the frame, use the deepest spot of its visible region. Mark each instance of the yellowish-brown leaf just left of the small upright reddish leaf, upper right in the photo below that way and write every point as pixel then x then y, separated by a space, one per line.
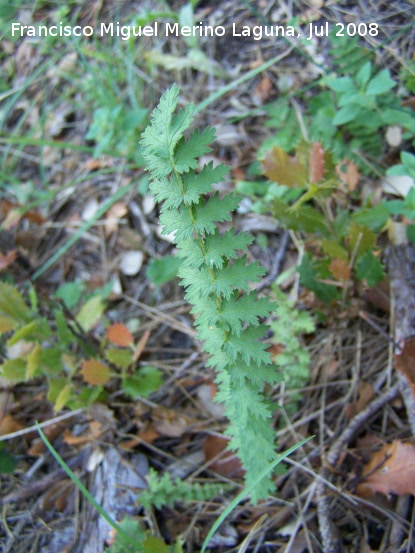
pixel 284 169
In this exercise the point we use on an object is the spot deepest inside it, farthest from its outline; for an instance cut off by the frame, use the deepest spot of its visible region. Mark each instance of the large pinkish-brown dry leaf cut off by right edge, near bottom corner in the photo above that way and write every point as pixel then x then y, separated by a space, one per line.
pixel 391 470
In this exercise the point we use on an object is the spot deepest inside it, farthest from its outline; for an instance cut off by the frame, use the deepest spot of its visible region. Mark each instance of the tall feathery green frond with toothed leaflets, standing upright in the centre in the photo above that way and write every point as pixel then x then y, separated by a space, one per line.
pixel 216 278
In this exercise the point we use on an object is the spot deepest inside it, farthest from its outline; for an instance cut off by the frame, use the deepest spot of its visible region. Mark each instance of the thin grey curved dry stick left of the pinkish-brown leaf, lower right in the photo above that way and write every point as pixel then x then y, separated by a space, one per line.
pixel 331 541
